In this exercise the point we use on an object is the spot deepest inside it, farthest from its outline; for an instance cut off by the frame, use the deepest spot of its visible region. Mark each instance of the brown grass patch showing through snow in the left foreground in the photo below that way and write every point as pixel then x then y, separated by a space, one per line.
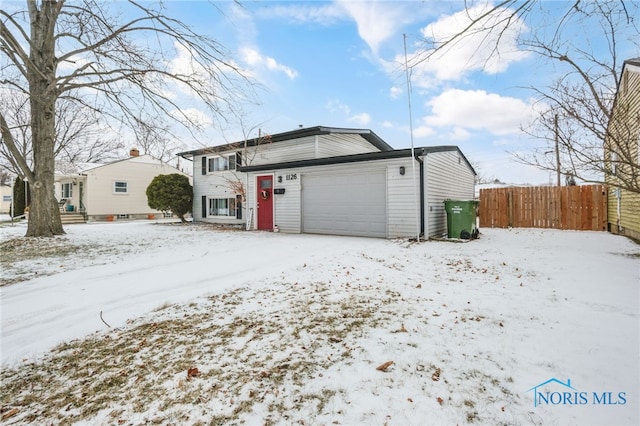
pixel 244 357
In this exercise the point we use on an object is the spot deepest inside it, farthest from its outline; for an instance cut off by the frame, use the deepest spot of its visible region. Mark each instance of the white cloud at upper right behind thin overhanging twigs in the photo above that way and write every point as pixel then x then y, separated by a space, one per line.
pixel 491 50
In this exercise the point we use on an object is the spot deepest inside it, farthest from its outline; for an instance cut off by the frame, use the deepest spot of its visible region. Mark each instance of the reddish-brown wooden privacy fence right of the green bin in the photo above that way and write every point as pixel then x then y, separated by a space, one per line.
pixel 561 207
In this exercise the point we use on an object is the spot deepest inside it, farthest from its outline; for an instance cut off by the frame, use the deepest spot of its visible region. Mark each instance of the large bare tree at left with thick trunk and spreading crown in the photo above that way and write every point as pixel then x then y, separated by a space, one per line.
pixel 112 62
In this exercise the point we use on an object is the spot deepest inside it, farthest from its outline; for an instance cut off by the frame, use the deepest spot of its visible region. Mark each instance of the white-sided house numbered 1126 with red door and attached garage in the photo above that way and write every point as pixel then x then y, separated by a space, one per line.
pixel 328 180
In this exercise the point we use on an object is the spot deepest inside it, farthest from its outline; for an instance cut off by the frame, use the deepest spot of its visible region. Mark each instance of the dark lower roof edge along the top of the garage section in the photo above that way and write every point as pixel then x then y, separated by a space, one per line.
pixel 369 156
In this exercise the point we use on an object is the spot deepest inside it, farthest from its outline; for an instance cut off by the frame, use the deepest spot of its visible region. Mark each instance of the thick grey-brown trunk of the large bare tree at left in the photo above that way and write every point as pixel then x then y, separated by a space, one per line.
pixel 44 216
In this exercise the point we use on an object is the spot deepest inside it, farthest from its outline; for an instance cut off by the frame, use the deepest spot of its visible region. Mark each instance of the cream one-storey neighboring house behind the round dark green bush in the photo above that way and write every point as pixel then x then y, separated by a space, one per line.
pixel 111 191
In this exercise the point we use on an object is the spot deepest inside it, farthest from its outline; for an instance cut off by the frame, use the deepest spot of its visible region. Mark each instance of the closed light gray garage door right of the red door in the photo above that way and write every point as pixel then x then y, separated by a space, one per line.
pixel 346 204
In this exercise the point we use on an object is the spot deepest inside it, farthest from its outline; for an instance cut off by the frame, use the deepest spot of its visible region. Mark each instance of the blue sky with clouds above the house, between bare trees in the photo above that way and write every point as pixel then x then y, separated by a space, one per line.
pixel 341 64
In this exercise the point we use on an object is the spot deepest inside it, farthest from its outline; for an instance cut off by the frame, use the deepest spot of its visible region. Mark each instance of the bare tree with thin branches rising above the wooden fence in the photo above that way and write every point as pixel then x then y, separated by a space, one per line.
pixel 583 41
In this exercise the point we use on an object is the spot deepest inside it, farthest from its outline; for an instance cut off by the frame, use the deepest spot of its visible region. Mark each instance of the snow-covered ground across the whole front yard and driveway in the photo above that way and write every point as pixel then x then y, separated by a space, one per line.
pixel 148 323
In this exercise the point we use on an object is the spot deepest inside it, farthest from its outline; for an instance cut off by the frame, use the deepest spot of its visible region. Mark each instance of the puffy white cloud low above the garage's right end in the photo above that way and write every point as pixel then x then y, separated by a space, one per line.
pixel 478 110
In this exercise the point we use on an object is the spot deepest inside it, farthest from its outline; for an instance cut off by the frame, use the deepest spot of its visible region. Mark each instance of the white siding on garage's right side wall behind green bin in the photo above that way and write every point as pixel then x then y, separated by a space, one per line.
pixel 447 175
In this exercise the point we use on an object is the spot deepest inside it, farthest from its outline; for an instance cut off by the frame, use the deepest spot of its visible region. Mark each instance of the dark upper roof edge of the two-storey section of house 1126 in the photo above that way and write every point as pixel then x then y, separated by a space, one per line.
pixel 368 135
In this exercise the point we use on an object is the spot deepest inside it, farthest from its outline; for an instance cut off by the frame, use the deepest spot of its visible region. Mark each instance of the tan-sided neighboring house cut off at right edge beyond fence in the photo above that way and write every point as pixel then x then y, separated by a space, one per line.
pixel 622 154
